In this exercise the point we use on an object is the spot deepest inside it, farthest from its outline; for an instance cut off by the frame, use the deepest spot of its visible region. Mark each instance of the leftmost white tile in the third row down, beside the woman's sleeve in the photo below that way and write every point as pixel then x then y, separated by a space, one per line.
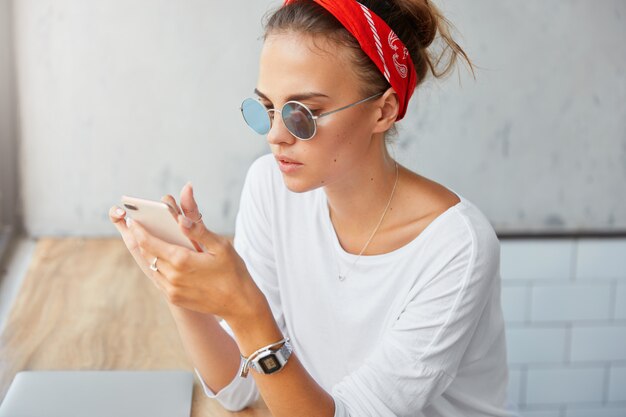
pixel 536 345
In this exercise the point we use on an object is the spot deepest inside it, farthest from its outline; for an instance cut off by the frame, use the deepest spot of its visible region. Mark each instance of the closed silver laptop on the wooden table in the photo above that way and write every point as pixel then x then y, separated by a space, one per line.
pixel 99 394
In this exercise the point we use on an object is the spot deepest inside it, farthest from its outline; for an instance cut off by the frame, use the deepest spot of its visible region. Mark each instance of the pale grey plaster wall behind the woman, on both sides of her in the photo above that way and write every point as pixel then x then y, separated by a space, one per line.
pixel 140 96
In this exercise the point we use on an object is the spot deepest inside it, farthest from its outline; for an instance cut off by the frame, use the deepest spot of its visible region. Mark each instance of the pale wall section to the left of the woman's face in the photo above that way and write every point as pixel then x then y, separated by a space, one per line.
pixel 133 97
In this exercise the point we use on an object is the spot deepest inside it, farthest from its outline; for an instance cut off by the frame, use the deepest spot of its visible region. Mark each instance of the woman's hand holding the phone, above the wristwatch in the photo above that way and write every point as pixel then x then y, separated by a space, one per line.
pixel 214 281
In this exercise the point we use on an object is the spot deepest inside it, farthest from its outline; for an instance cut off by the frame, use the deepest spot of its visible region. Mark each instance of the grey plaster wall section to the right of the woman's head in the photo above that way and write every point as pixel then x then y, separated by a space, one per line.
pixel 539 141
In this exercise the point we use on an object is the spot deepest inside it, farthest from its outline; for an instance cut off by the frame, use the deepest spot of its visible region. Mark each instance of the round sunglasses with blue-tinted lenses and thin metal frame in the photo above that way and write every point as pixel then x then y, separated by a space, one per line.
pixel 298 118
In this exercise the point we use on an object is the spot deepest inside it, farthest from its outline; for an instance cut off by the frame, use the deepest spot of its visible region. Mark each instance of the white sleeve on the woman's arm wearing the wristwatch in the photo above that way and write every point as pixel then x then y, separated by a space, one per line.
pixel 417 358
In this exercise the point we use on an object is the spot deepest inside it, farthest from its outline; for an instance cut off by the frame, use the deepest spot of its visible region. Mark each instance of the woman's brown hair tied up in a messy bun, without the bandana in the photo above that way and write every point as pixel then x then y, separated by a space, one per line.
pixel 416 22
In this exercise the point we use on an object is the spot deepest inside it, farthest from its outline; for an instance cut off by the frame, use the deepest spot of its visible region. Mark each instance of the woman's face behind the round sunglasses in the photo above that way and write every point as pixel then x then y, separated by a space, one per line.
pixel 297 67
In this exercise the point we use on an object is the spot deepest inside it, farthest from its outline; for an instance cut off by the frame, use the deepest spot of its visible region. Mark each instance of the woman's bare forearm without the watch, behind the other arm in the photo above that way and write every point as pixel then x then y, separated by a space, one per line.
pixel 212 351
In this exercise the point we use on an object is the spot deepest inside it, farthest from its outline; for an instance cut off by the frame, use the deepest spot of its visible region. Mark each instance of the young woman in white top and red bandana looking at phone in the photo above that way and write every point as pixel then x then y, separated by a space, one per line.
pixel 355 287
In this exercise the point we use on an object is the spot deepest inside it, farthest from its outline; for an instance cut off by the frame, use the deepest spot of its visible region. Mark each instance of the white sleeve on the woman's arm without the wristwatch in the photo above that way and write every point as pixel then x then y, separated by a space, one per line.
pixel 253 243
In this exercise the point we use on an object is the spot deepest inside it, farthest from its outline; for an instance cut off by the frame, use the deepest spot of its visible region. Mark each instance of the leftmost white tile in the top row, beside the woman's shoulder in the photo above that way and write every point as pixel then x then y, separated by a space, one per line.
pixel 530 259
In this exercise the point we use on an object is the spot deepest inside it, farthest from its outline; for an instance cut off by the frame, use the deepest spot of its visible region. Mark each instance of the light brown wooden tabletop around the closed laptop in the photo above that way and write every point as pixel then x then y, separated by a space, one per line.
pixel 85 305
